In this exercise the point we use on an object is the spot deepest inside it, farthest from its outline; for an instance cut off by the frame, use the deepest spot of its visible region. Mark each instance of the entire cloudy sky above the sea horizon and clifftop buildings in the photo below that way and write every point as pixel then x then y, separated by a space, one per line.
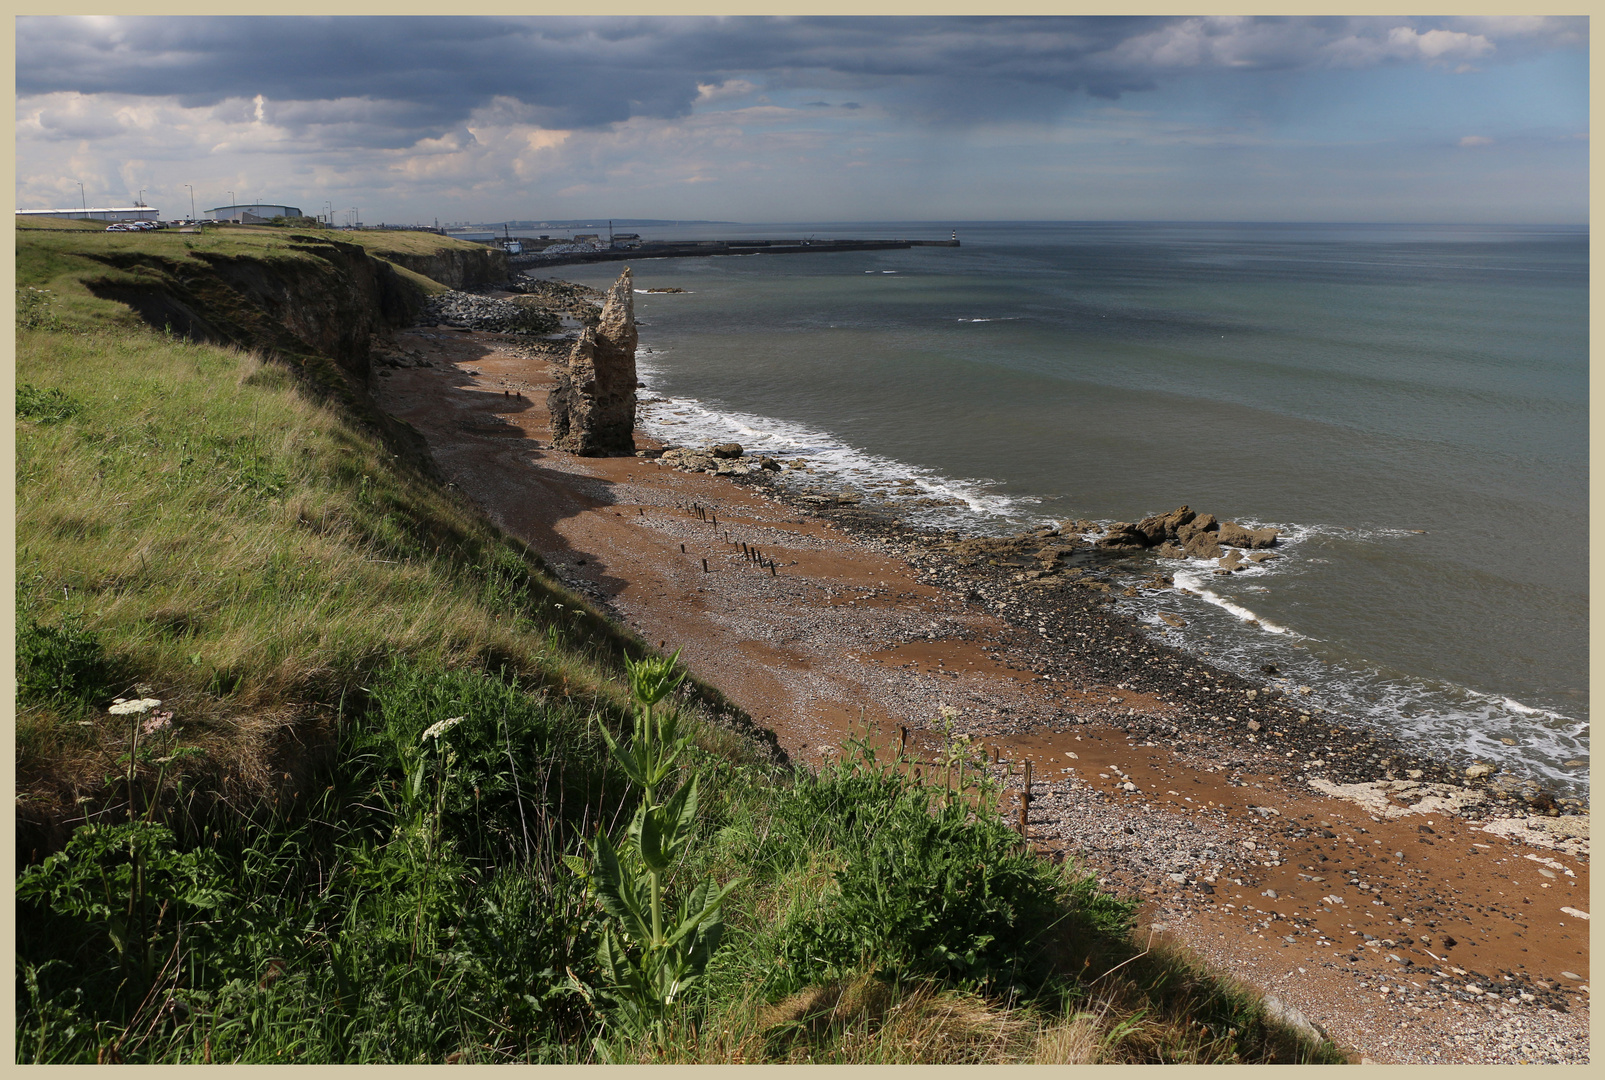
pixel 811 120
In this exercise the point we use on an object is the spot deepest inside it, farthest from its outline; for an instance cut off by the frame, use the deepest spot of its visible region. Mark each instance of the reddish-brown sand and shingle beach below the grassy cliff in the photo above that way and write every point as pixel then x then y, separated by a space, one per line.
pixel 1405 928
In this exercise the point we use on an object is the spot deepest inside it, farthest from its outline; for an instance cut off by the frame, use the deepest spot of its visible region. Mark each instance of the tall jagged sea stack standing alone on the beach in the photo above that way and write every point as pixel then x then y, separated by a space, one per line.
pixel 595 400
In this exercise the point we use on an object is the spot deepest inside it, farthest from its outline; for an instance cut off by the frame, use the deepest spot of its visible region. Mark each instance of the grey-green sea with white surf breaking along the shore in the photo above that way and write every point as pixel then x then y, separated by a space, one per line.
pixel 1407 404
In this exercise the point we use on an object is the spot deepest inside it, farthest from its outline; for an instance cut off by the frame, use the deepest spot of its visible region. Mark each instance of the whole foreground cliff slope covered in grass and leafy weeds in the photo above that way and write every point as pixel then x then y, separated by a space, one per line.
pixel 315 765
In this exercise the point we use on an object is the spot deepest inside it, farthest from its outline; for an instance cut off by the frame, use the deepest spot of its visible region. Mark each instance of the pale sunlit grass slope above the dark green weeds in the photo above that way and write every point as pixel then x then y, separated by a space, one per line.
pixel 238 546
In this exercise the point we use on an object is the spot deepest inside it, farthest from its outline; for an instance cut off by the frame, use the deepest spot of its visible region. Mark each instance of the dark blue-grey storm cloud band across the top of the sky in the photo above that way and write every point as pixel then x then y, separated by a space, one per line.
pixel 391 81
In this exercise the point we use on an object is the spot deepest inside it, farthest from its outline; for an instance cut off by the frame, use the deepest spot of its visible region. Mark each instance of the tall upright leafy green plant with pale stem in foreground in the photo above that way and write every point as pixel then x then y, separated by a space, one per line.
pixel 654 951
